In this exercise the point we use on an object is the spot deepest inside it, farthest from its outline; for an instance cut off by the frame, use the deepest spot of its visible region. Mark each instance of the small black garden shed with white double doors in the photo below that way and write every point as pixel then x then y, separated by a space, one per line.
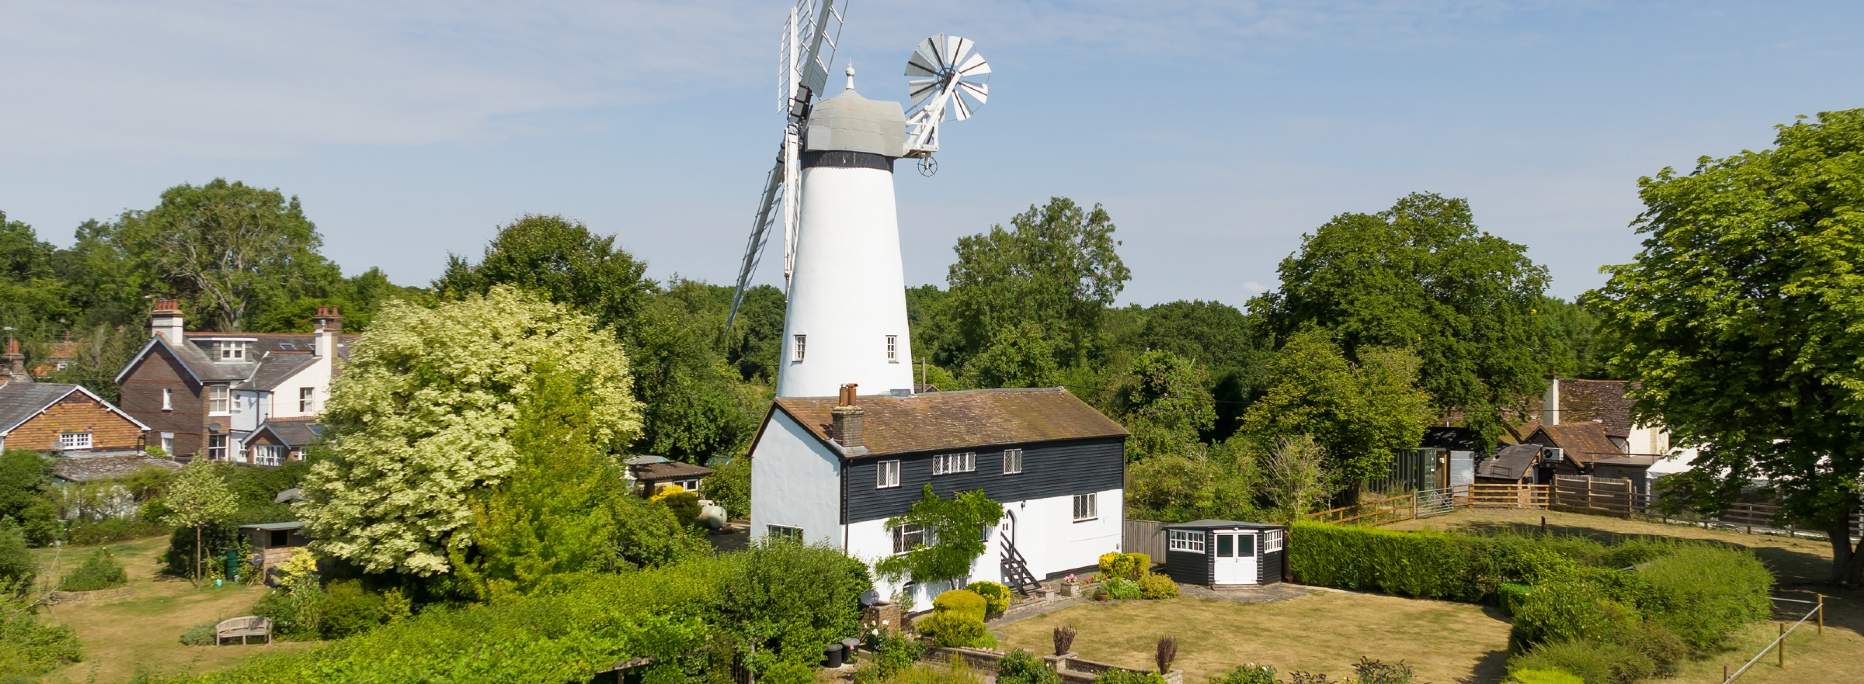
pixel 1226 553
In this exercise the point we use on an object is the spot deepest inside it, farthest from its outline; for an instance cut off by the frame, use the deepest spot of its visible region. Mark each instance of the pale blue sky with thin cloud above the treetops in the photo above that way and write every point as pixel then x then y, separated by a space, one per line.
pixel 1214 133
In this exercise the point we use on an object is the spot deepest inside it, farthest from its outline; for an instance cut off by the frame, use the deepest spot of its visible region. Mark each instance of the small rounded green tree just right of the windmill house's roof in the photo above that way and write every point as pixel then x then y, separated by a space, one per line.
pixel 1164 400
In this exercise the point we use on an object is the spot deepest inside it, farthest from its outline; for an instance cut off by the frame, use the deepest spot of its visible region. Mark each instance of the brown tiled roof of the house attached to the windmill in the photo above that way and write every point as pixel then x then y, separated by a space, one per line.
pixel 959 420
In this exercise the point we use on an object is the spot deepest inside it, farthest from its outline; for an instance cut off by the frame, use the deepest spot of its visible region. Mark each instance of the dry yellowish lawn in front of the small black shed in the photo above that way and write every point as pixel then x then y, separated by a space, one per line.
pixel 1321 633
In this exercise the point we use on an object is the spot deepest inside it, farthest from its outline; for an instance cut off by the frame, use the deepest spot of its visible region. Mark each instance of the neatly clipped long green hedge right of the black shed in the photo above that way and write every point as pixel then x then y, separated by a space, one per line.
pixel 1418 564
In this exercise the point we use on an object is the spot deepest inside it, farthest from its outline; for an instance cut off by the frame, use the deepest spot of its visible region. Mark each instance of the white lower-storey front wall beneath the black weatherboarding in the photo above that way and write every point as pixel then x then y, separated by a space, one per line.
pixel 1047 536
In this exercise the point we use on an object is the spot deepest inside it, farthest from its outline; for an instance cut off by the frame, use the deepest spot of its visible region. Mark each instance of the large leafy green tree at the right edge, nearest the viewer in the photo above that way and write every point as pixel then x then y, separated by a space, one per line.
pixel 1744 321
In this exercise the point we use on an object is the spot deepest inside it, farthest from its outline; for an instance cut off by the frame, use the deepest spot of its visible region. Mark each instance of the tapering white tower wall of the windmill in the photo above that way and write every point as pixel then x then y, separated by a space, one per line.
pixel 847 292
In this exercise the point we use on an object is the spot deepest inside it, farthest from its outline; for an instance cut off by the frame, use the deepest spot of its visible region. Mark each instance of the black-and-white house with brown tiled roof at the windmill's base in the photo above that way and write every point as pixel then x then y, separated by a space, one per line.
pixel 832 471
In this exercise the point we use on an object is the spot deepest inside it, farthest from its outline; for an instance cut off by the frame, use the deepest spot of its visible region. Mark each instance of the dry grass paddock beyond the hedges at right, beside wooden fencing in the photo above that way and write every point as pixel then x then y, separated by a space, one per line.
pixel 1800 568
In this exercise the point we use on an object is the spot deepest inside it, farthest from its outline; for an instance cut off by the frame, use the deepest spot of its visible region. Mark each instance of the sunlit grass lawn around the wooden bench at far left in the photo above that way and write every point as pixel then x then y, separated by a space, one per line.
pixel 143 633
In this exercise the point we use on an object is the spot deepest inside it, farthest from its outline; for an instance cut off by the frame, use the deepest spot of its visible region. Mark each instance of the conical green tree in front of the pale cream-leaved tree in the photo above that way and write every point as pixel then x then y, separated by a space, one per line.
pixel 560 512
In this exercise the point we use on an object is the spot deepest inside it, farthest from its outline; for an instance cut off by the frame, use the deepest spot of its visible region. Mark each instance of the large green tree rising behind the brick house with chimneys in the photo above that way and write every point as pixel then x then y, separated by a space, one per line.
pixel 228 251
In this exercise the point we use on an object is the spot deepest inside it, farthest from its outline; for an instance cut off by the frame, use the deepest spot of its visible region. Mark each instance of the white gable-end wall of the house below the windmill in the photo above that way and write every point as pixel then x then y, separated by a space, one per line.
pixel 797 484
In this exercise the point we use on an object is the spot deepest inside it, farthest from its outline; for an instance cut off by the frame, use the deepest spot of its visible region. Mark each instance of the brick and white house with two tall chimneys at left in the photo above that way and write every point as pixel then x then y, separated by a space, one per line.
pixel 206 394
